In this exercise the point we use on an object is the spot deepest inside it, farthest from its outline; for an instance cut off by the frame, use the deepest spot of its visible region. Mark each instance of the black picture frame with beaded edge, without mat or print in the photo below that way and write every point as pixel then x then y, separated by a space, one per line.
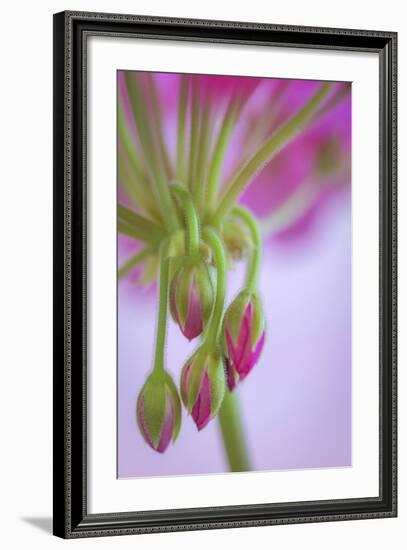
pixel 71 518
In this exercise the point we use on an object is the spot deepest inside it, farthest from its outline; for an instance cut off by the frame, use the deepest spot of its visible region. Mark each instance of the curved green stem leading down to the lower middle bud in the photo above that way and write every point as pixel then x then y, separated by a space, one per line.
pixel 212 238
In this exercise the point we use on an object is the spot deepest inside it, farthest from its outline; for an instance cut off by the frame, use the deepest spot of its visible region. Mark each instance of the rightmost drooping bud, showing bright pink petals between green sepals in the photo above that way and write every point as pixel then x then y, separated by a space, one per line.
pixel 243 336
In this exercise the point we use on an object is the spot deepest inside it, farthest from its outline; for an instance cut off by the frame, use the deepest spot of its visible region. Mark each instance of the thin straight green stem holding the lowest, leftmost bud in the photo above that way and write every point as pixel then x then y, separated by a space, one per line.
pixel 162 310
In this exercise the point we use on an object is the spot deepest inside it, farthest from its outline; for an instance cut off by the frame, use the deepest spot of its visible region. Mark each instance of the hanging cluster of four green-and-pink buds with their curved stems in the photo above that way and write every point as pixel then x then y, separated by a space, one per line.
pixel 232 340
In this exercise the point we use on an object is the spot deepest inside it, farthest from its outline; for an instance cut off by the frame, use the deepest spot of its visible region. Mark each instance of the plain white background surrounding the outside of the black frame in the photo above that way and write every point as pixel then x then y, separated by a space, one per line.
pixel 26 271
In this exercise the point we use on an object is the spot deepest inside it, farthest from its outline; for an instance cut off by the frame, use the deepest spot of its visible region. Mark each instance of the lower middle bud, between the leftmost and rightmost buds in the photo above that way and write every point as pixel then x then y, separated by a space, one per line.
pixel 203 386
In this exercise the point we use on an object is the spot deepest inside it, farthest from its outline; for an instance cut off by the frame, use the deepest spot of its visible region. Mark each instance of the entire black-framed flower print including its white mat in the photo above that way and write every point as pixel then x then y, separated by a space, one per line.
pixel 224 274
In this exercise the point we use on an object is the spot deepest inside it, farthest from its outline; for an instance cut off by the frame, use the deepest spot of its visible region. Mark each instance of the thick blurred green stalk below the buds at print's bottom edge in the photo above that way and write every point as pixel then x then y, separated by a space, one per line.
pixel 232 433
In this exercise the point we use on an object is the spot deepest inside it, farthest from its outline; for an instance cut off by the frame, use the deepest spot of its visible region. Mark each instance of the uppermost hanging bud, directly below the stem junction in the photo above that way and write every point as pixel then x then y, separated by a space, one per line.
pixel 191 297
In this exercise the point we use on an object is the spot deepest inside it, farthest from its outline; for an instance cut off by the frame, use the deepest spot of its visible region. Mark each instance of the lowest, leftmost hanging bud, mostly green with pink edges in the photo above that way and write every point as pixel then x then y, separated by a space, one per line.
pixel 159 411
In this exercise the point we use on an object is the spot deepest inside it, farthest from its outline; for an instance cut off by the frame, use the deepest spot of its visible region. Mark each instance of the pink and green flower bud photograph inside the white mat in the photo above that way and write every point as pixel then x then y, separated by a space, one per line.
pixel 234 274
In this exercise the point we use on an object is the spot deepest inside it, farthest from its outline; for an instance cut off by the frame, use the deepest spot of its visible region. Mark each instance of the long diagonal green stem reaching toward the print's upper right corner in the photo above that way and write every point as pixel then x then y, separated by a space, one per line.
pixel 272 145
